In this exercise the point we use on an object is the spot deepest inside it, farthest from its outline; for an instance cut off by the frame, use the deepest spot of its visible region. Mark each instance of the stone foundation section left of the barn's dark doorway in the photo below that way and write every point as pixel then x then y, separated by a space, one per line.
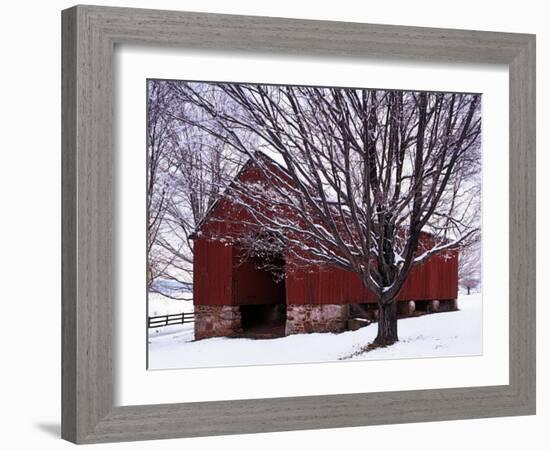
pixel 217 321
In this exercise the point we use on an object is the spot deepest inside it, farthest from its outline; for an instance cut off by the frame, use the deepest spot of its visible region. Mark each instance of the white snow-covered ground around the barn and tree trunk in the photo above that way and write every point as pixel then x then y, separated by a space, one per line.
pixel 456 333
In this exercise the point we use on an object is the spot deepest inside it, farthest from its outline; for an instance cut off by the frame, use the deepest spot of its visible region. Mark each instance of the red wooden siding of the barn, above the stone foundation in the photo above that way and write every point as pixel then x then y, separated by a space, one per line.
pixel 219 280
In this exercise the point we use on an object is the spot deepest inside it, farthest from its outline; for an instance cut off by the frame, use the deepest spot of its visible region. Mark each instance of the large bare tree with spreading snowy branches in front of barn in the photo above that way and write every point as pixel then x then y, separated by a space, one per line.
pixel 362 174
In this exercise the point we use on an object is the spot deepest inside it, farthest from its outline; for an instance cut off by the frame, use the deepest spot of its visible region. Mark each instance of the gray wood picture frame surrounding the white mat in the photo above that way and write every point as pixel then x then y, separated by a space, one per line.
pixel 89 36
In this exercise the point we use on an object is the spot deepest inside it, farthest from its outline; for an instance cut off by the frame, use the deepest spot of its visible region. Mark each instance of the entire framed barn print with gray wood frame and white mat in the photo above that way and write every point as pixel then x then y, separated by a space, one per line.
pixel 281 203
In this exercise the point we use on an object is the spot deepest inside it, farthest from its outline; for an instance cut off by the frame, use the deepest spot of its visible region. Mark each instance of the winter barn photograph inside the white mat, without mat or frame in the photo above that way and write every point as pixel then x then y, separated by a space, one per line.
pixel 300 224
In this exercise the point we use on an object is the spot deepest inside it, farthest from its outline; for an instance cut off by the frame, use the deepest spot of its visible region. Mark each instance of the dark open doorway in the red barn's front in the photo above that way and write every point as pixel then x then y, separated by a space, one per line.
pixel 259 291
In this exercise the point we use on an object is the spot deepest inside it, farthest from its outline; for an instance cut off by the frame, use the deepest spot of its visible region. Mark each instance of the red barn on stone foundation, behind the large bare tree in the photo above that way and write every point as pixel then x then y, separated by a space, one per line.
pixel 232 296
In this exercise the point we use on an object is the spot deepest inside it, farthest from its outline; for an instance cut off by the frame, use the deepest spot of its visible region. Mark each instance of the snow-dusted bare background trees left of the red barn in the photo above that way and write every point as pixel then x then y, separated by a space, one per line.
pixel 187 170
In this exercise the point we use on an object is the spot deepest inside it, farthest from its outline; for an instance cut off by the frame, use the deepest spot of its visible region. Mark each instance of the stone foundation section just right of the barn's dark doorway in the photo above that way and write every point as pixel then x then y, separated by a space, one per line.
pixel 316 318
